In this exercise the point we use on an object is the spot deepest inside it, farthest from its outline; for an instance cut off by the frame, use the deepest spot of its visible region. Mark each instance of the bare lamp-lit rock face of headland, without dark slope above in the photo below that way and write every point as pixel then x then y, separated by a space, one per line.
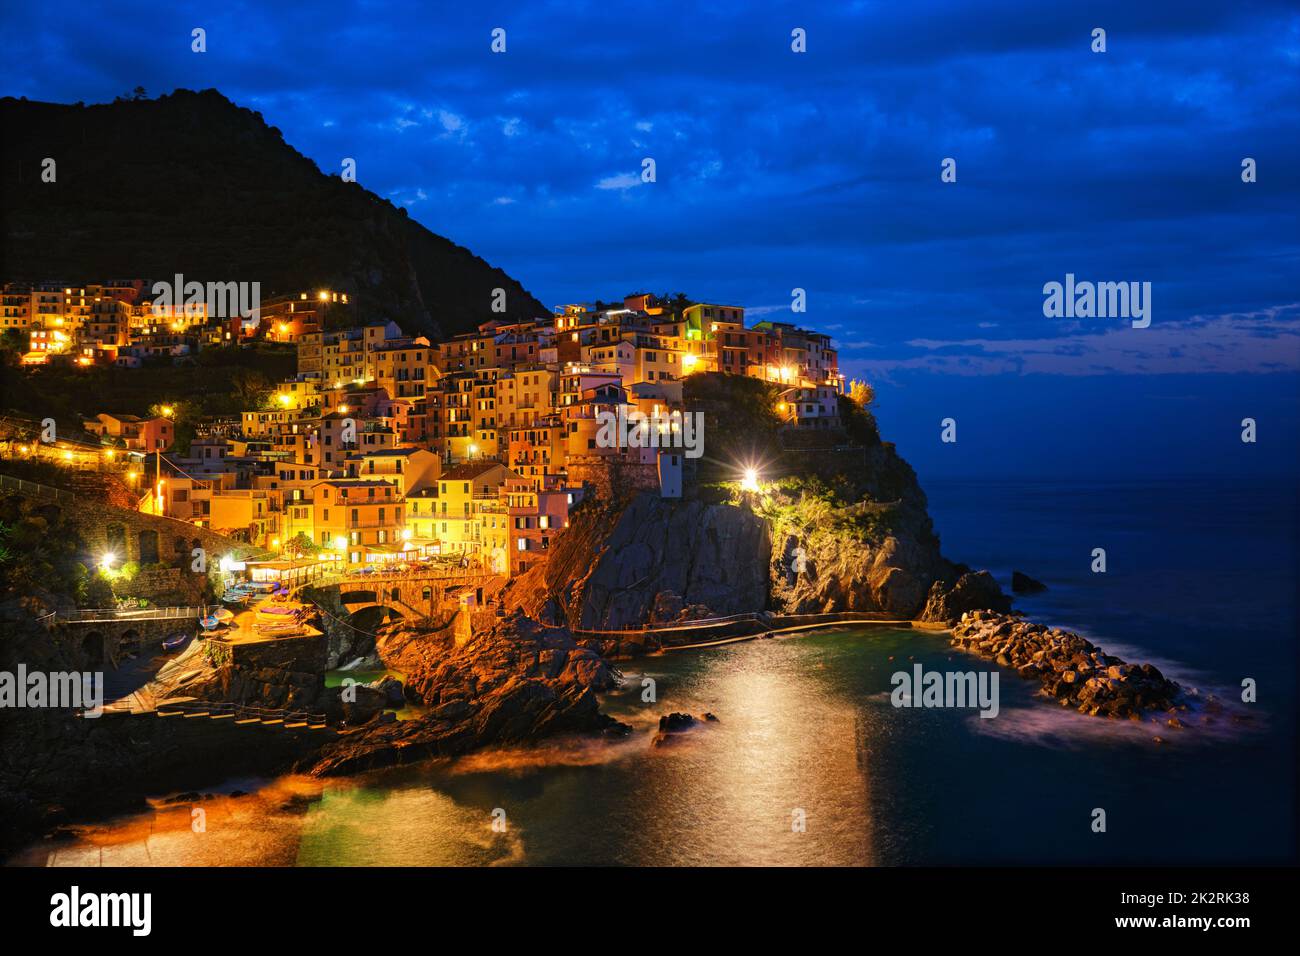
pixel 860 542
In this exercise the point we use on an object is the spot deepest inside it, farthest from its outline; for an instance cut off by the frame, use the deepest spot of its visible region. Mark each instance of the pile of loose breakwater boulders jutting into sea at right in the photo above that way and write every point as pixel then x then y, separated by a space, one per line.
pixel 1073 671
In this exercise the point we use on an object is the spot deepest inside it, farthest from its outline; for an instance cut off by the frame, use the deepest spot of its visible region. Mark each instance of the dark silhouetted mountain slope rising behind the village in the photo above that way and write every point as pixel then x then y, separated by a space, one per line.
pixel 192 184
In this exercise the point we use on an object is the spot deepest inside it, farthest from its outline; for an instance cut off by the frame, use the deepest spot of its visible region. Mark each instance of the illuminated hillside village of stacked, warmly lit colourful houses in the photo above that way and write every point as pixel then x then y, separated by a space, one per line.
pixel 387 449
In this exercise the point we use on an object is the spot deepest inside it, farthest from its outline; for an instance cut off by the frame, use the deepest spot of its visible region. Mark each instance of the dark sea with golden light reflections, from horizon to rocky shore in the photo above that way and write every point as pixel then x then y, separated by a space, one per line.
pixel 1202 581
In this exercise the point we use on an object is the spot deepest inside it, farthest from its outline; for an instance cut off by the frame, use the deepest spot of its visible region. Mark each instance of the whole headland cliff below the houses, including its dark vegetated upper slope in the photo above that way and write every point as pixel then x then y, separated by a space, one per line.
pixel 846 529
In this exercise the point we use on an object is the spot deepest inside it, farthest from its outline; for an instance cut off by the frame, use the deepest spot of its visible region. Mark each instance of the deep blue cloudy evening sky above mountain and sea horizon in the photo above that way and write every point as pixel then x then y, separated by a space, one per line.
pixel 822 171
